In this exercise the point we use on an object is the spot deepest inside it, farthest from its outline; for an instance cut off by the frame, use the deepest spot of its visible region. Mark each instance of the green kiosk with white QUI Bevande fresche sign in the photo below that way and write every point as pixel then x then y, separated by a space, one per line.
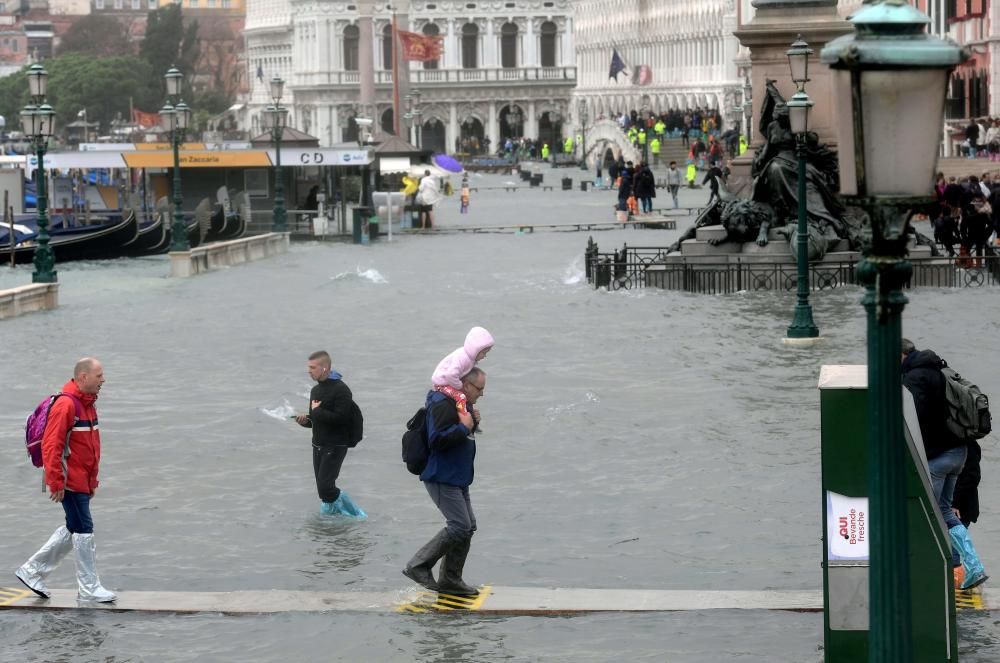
pixel 844 430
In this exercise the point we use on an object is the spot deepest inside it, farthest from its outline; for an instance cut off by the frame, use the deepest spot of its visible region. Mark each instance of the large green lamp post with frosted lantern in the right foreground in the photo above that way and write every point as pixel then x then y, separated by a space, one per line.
pixel 888 69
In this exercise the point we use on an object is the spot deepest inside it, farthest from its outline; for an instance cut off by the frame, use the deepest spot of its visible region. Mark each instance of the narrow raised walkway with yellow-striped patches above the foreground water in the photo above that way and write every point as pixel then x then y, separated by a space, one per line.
pixel 492 600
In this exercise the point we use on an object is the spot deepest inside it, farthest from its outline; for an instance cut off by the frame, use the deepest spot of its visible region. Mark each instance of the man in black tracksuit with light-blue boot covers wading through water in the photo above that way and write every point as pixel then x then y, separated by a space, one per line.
pixel 330 418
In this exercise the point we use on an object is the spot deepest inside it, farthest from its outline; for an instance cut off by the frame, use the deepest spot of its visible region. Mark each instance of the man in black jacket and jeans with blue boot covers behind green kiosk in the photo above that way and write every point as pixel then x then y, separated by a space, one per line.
pixel 946 453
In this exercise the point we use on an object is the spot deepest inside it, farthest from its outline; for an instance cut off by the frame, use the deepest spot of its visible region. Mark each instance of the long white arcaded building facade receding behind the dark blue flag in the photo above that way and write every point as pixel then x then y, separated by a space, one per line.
pixel 686 48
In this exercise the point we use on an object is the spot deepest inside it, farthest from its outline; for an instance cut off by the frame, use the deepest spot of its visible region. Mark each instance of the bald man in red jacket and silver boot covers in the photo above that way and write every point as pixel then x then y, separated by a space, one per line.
pixel 71 452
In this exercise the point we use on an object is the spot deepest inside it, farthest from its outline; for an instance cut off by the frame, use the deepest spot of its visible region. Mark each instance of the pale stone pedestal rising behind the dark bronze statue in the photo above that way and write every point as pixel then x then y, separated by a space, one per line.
pixel 769 36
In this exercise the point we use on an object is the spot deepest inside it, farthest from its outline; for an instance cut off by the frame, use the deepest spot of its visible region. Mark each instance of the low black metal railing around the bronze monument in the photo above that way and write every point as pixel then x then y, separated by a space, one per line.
pixel 629 268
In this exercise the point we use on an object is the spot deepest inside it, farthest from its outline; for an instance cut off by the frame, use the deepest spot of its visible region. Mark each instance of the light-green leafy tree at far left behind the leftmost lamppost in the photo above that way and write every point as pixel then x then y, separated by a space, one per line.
pixel 105 87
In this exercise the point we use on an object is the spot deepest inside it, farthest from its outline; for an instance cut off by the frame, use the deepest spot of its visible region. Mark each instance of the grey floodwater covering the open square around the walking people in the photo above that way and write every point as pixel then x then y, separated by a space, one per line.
pixel 642 439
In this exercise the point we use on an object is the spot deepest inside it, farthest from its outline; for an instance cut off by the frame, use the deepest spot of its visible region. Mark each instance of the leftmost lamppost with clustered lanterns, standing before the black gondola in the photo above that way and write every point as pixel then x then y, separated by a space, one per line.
pixel 38 122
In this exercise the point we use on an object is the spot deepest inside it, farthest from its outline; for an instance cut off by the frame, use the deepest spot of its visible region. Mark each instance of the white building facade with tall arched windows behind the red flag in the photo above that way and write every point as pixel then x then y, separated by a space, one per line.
pixel 507 68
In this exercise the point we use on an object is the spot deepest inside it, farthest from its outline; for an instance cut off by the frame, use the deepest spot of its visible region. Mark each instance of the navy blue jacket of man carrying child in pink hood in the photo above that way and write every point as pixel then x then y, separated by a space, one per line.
pixel 453 449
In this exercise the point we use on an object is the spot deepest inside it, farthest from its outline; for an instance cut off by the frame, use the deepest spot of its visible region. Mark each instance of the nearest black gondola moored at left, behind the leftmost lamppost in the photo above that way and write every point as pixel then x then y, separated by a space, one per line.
pixel 83 243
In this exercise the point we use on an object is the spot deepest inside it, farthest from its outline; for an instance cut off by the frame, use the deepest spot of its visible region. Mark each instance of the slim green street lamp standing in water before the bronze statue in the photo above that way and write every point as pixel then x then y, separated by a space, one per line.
pixel 802 330
